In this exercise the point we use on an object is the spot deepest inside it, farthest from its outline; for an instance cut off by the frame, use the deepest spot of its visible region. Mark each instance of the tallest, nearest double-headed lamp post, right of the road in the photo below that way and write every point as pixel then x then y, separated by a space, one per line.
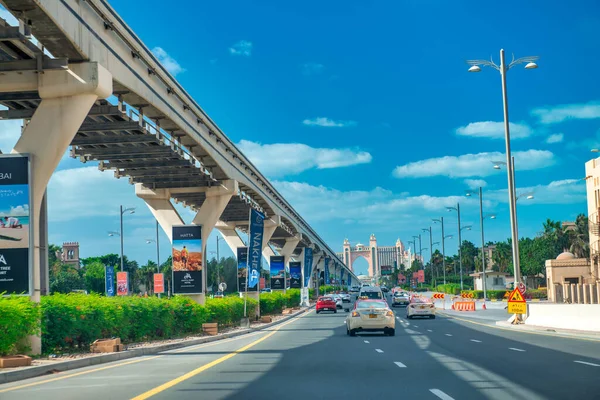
pixel 503 69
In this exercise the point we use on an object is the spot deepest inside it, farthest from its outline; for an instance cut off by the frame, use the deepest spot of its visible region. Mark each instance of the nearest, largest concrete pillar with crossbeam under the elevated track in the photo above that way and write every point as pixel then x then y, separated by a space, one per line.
pixel 67 97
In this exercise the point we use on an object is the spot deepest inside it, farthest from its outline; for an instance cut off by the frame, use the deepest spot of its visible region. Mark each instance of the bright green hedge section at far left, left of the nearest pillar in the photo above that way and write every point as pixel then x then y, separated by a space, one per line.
pixel 19 317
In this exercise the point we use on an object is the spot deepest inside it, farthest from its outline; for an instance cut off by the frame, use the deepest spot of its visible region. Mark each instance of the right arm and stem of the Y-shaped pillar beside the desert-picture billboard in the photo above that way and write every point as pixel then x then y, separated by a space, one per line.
pixel 216 200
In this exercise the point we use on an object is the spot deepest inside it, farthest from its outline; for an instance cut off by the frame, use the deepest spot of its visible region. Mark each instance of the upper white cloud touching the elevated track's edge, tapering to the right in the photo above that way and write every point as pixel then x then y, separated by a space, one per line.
pixel 280 159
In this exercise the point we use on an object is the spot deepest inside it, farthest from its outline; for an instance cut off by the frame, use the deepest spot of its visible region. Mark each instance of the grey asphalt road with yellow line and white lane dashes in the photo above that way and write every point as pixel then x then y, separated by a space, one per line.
pixel 311 357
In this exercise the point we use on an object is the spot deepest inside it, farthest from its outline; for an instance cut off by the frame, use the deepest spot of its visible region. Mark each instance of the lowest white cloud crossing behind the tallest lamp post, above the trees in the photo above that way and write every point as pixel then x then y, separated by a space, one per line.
pixel 565 191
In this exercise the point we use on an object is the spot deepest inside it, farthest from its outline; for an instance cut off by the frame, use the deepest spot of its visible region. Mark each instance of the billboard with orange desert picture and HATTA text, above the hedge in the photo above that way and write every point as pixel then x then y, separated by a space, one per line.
pixel 188 259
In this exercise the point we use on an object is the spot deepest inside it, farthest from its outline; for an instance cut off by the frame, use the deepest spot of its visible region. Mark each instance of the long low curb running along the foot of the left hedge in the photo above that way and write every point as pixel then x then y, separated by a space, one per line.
pixel 61 366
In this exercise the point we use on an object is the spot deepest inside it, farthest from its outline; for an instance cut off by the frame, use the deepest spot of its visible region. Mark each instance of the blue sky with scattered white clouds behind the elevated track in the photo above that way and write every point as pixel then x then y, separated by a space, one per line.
pixel 363 114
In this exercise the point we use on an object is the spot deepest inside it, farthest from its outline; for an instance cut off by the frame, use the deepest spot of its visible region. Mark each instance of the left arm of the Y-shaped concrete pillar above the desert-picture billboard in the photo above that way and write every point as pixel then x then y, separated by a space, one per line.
pixel 159 203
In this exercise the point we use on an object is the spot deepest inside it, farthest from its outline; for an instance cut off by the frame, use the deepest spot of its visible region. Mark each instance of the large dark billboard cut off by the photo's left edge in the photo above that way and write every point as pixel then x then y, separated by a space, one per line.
pixel 16 236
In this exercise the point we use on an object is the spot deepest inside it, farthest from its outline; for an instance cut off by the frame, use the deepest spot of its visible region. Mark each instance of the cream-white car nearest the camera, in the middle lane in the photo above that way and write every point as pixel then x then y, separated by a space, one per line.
pixel 371 316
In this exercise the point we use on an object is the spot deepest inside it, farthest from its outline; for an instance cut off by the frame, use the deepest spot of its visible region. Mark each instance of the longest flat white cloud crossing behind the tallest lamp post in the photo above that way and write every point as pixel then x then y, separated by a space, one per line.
pixel 471 165
